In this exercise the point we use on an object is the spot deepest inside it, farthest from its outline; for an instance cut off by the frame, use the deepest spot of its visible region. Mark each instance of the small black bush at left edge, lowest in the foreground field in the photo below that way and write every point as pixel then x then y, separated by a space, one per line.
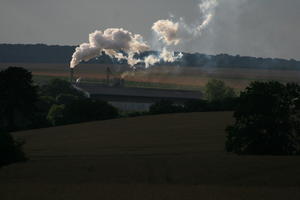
pixel 10 150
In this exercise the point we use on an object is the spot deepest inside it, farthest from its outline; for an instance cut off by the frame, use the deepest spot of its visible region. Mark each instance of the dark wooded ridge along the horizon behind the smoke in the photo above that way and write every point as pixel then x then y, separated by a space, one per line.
pixel 41 53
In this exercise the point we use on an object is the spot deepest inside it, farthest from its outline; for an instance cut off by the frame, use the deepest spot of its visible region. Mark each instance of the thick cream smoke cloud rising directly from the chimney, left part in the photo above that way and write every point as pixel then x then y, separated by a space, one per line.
pixel 111 41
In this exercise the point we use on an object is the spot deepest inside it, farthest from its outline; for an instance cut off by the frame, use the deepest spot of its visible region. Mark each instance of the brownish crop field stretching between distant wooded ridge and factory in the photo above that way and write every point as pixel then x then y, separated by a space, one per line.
pixel 162 76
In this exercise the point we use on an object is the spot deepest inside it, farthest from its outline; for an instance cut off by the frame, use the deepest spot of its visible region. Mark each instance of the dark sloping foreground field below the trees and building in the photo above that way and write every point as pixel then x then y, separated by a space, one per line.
pixel 154 157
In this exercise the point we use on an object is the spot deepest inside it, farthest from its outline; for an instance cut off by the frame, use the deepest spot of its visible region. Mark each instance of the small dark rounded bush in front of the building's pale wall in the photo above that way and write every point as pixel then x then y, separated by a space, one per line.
pixel 165 106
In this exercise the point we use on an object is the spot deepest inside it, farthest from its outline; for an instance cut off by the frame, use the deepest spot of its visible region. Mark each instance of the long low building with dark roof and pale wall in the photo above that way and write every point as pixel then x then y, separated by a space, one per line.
pixel 136 99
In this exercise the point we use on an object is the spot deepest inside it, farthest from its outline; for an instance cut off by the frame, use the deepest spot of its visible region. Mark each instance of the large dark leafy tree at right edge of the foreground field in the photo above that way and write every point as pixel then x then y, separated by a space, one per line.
pixel 267 120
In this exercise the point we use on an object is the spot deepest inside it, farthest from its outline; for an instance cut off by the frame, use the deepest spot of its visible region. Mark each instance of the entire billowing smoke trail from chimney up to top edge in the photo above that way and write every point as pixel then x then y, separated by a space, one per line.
pixel 122 44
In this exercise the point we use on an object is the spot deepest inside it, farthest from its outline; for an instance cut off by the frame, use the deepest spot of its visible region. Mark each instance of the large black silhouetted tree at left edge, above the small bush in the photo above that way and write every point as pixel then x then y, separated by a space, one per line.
pixel 17 97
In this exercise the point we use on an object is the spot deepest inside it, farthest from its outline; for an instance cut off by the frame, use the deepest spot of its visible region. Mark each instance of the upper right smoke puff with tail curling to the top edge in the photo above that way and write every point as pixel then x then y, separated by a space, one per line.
pixel 173 33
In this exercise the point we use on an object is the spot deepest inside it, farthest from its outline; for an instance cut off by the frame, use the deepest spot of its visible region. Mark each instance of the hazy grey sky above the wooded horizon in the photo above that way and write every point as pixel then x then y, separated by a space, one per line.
pixel 260 28
